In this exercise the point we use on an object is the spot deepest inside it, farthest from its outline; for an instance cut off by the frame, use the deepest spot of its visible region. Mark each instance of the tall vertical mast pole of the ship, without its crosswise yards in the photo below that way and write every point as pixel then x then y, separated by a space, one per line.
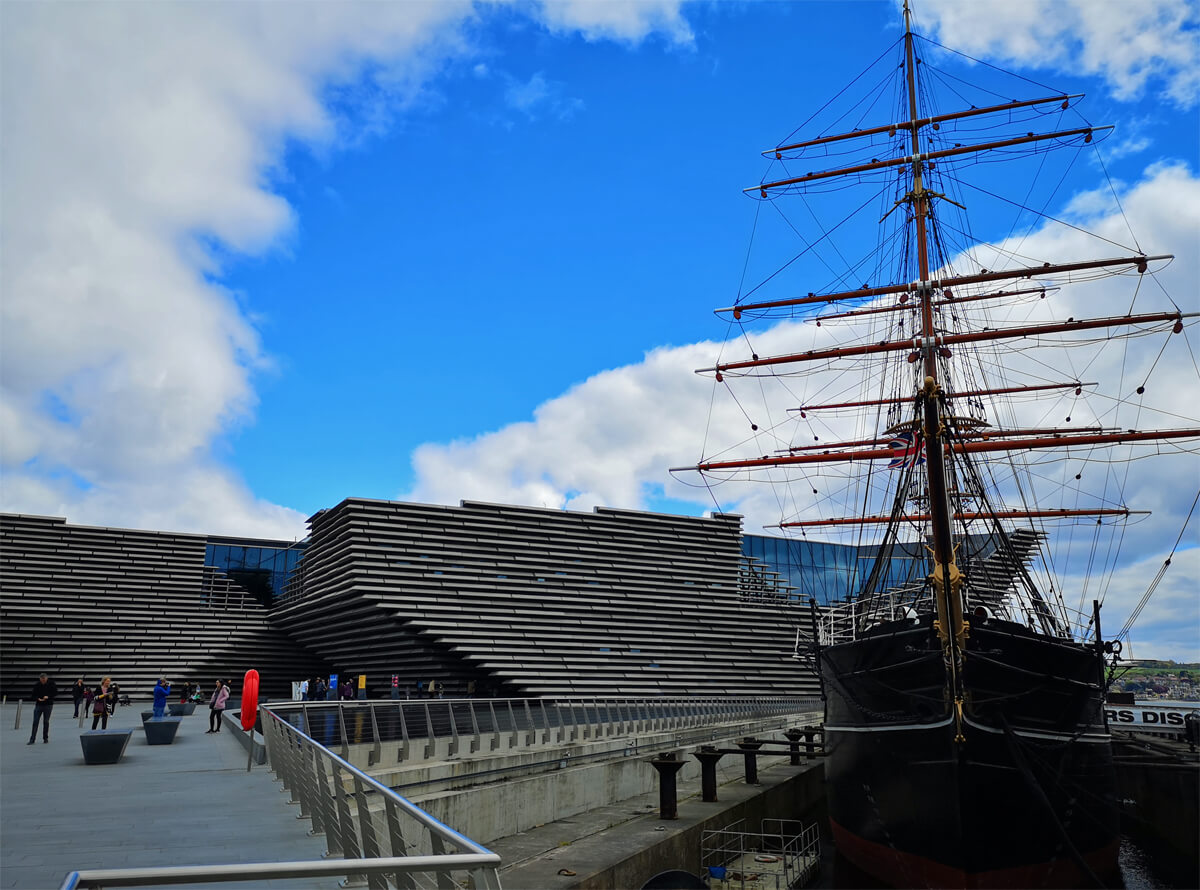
pixel 946 578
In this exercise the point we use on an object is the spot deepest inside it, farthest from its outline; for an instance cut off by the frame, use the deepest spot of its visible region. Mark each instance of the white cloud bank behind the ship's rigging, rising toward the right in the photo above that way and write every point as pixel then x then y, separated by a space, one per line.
pixel 611 440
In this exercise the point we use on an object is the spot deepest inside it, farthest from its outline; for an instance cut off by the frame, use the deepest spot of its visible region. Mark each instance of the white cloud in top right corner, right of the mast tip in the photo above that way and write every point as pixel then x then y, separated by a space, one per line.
pixel 1150 45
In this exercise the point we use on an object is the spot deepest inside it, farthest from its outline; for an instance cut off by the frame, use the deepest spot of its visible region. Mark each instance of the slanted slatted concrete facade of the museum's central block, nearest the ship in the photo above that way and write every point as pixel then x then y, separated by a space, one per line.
pixel 543 603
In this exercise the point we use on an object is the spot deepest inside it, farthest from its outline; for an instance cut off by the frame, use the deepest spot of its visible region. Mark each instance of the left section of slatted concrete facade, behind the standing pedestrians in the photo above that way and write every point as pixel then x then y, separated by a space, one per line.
pixel 80 602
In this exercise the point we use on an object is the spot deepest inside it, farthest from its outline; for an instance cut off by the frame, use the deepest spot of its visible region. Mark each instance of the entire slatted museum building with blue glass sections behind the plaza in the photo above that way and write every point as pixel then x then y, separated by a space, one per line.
pixel 483 599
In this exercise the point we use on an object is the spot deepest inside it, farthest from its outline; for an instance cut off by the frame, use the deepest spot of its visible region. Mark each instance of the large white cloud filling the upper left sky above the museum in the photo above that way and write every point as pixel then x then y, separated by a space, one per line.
pixel 141 145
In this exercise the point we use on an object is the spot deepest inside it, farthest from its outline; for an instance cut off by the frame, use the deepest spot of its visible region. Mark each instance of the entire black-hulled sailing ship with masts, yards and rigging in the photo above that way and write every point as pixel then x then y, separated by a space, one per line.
pixel 965 733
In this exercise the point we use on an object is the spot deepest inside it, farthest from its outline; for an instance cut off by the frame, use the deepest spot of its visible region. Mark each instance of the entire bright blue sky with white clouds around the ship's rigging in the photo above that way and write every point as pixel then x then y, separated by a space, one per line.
pixel 261 258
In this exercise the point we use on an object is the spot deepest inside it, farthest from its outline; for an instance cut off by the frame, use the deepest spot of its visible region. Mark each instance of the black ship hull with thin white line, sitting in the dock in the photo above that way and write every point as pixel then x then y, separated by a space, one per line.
pixel 1027 798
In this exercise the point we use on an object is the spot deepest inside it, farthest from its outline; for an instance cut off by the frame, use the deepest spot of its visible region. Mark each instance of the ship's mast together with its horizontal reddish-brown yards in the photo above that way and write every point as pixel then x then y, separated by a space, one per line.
pixel 946 443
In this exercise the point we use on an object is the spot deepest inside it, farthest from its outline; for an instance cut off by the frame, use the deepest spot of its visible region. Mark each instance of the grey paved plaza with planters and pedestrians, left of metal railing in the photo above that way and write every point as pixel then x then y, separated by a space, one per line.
pixel 190 803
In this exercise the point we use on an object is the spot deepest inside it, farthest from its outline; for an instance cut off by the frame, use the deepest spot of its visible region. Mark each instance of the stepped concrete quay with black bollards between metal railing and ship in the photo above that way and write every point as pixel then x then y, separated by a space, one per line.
pixel 589 805
